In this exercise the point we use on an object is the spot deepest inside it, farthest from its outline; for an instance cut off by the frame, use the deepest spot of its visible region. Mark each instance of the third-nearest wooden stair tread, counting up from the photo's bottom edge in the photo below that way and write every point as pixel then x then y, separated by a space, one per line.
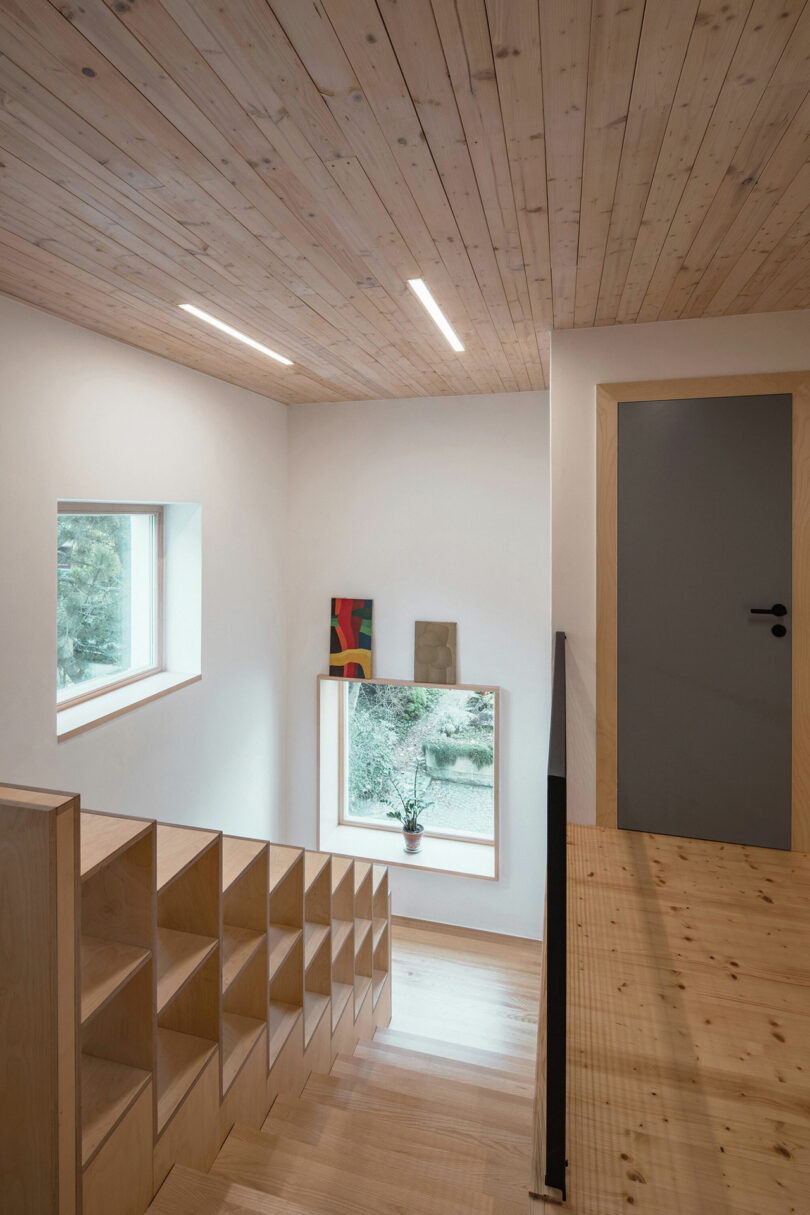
pixel 458 1160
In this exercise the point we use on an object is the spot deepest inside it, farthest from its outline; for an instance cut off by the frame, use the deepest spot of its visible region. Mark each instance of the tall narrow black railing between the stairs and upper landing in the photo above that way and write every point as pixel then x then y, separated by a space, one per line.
pixel 557 931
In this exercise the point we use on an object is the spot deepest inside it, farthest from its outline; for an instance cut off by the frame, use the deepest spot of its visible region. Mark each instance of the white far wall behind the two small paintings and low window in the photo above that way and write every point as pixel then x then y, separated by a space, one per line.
pixel 437 510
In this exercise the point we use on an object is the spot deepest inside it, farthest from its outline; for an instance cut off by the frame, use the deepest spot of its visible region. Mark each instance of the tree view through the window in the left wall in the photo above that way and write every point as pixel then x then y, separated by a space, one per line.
pixel 109 597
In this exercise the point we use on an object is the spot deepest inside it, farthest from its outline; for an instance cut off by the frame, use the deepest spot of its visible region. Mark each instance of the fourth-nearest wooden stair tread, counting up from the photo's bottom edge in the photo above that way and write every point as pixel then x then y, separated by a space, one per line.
pixel 401 1109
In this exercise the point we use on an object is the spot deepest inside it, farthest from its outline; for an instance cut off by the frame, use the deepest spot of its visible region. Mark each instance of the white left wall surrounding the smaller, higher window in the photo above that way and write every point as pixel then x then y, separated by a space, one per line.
pixel 86 417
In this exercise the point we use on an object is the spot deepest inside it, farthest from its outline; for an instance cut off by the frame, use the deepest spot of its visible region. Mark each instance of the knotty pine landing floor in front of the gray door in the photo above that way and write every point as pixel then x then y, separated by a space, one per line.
pixel 689 1065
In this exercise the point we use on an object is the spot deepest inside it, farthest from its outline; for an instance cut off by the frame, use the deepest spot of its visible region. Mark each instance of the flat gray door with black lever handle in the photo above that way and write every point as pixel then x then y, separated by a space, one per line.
pixel 705 521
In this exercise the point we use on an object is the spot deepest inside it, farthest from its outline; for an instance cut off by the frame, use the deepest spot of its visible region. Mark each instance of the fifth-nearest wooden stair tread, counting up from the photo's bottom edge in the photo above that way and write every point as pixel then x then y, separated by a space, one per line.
pixel 457 1094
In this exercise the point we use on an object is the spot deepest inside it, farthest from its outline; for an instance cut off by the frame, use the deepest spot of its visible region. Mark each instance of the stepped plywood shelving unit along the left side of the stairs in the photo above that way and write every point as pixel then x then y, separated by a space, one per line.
pixel 212 973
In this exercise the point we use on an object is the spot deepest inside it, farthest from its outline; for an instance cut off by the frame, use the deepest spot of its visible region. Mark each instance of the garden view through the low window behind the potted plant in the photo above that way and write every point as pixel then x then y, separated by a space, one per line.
pixel 441 739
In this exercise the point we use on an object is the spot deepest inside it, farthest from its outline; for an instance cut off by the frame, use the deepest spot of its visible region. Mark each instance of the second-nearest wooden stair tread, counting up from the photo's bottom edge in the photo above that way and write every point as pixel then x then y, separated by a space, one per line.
pixel 327 1180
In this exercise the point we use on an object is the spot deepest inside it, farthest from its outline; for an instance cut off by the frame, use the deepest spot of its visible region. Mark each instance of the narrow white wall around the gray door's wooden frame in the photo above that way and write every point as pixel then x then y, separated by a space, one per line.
pixel 582 359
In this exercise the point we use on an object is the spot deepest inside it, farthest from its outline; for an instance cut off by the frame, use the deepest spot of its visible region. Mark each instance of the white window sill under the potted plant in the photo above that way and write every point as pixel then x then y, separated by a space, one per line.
pixel 438 856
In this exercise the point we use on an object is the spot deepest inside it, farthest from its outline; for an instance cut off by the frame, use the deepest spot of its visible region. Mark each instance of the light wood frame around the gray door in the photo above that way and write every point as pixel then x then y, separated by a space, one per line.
pixel 797 385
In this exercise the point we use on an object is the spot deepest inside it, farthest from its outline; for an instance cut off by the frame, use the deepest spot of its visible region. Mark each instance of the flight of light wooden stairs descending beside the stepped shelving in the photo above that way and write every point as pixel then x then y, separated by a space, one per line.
pixel 389 1132
